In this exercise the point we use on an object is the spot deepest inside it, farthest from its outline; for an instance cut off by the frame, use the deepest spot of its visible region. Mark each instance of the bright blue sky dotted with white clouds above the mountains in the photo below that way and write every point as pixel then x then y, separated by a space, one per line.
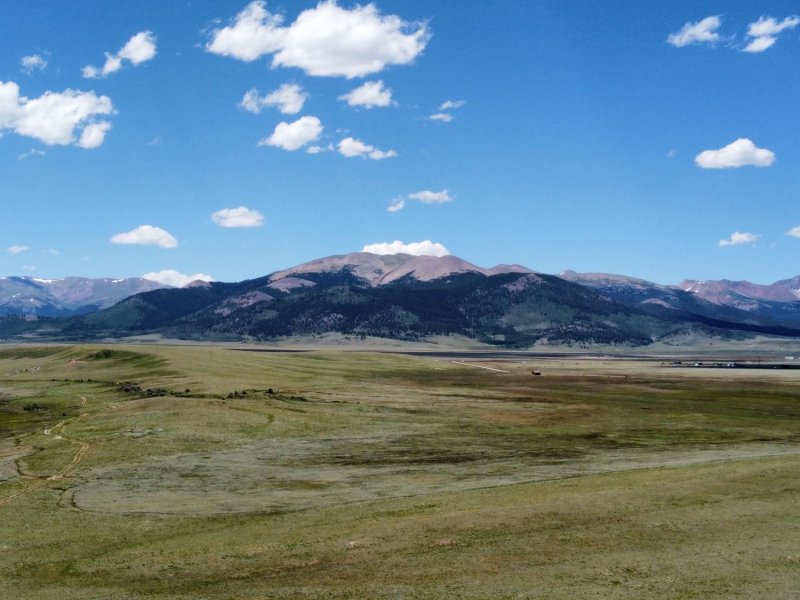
pixel 653 139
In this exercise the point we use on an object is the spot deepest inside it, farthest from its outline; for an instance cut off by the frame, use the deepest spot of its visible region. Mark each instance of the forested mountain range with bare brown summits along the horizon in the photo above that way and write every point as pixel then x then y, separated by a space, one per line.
pixel 412 297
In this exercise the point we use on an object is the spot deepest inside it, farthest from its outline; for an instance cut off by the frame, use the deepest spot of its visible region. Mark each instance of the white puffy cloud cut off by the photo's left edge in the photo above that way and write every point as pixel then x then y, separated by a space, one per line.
pixel 55 118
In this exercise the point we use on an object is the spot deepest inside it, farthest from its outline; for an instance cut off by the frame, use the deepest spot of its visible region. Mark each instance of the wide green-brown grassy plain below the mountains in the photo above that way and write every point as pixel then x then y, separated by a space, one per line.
pixel 201 472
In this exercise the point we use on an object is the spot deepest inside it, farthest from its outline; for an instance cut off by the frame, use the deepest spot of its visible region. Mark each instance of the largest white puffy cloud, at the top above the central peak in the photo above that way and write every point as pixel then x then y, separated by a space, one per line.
pixel 325 41
